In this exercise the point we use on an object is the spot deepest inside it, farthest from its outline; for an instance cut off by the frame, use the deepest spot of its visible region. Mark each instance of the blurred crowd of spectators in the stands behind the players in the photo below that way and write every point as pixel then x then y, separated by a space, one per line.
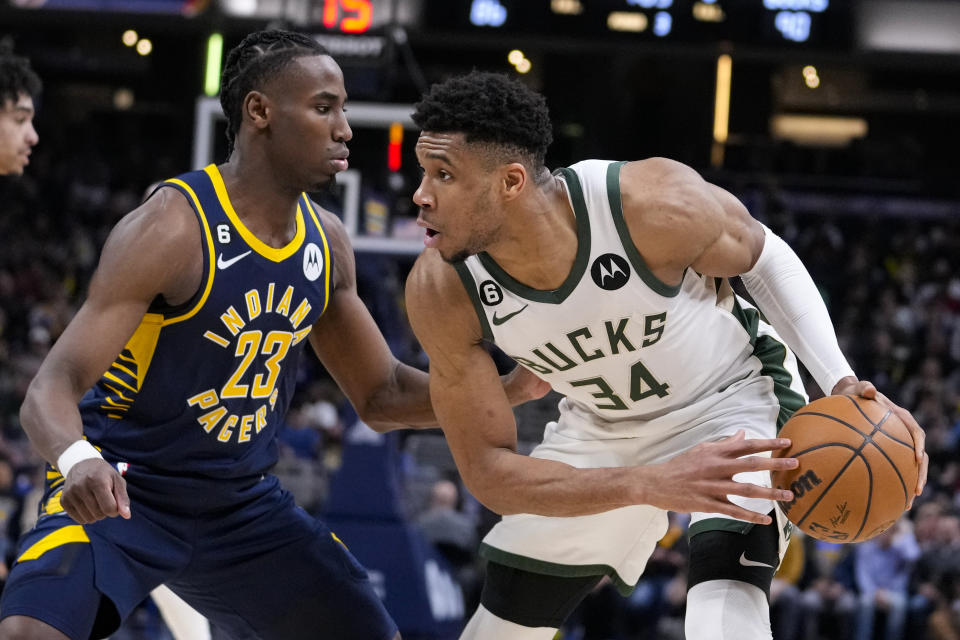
pixel 893 289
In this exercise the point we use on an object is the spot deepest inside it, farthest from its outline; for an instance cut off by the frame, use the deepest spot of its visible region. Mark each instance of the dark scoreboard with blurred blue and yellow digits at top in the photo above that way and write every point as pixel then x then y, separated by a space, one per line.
pixel 826 23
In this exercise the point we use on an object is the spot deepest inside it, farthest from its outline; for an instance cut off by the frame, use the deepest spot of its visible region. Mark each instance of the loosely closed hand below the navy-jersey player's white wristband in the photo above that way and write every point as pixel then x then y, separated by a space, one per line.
pixel 93 491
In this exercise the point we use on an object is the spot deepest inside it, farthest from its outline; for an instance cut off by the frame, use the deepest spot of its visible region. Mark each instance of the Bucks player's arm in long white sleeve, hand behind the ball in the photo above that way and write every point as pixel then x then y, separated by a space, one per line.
pixel 678 220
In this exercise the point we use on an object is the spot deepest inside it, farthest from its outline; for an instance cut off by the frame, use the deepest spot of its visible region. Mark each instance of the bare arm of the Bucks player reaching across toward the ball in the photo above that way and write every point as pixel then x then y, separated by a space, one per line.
pixel 481 430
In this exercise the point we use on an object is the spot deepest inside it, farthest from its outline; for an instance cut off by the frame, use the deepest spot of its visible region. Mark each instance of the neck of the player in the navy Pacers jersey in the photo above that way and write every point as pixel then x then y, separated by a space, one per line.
pixel 267 207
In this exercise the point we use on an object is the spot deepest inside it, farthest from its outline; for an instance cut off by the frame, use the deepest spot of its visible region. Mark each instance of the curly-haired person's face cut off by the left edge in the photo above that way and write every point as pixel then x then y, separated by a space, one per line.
pixel 19 86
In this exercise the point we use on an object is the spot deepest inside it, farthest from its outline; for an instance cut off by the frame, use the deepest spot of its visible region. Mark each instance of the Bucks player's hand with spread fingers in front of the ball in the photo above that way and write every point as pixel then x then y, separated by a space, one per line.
pixel 701 478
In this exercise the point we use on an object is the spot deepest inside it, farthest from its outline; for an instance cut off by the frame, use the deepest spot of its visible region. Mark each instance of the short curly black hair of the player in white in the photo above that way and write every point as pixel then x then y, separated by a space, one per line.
pixel 489 108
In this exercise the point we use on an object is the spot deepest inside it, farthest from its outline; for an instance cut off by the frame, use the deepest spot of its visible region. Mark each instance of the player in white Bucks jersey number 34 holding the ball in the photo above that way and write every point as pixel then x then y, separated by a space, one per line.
pixel 608 280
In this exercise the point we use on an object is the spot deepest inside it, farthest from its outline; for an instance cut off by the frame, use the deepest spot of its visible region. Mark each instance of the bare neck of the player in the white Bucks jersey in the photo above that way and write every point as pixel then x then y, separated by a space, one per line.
pixel 539 242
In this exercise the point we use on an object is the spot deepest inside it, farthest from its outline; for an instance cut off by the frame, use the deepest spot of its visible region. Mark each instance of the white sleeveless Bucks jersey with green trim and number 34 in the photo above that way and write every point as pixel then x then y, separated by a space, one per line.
pixel 614 339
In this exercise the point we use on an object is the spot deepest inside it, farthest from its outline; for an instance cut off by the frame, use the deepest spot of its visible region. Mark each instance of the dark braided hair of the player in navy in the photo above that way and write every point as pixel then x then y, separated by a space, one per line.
pixel 260 56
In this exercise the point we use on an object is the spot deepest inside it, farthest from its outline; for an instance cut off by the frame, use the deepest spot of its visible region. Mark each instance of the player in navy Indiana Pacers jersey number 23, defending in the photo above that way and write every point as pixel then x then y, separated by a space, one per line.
pixel 182 361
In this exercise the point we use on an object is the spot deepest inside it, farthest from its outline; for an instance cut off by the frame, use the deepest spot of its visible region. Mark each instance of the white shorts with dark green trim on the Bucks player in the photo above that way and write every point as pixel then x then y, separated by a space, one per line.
pixel 618 543
